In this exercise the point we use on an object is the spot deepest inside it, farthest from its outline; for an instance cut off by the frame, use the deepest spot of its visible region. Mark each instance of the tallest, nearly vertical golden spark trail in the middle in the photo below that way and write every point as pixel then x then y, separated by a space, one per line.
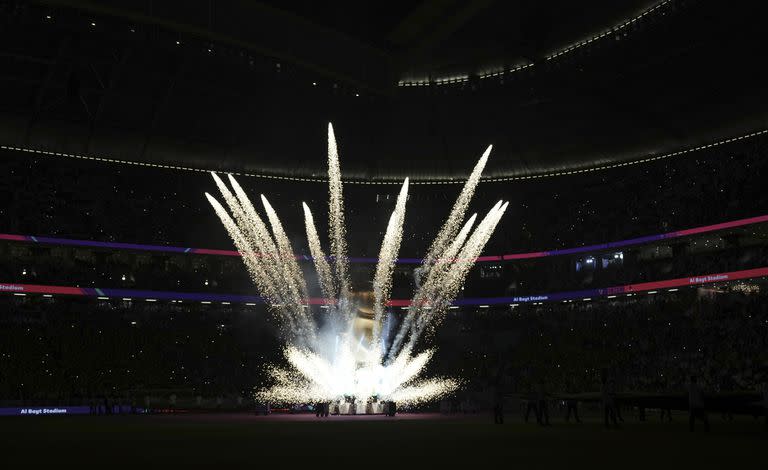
pixel 336 216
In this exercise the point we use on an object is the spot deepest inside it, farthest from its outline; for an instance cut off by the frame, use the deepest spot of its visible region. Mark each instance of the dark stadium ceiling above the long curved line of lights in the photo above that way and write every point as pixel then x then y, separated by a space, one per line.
pixel 245 85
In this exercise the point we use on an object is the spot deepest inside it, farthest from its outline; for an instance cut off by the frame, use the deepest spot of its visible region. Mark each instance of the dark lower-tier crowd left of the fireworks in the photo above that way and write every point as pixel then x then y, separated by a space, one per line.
pixel 59 349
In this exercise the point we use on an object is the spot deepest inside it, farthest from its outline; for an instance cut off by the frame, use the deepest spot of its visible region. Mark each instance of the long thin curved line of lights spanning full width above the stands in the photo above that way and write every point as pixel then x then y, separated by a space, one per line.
pixel 432 182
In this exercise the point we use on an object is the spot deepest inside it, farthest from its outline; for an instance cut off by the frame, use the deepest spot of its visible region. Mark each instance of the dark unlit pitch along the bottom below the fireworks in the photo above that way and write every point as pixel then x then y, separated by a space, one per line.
pixel 216 440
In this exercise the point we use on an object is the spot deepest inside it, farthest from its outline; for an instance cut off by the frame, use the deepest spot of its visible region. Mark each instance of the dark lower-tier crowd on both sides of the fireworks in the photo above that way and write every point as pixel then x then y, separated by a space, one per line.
pixel 65 349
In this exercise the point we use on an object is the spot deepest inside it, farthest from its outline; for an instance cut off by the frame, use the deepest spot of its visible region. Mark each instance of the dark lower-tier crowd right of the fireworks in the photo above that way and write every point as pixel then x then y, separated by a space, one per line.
pixel 648 344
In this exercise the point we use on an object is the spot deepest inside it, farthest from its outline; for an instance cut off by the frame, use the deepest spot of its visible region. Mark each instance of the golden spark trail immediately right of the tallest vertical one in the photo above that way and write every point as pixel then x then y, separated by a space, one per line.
pixel 382 281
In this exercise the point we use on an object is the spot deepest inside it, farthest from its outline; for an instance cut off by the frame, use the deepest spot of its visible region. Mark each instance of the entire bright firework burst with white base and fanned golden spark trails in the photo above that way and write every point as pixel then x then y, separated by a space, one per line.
pixel 333 361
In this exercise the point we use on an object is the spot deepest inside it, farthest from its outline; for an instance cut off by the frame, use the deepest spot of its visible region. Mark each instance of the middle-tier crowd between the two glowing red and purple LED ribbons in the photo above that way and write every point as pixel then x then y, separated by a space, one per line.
pixel 95 267
